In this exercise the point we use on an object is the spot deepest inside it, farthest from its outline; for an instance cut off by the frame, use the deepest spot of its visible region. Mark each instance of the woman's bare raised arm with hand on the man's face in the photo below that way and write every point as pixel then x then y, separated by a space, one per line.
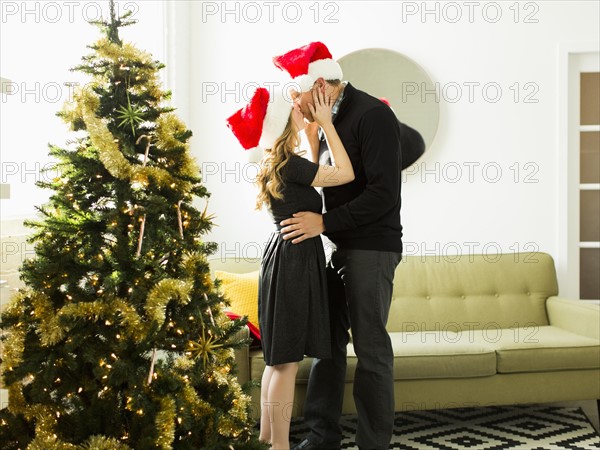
pixel 341 172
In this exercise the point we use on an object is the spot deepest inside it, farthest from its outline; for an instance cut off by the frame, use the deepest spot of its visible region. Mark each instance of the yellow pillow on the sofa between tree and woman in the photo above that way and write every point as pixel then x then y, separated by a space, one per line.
pixel 241 289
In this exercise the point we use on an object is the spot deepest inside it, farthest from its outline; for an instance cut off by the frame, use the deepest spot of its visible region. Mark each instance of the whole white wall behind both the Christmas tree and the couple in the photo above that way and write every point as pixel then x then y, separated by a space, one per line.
pixel 215 59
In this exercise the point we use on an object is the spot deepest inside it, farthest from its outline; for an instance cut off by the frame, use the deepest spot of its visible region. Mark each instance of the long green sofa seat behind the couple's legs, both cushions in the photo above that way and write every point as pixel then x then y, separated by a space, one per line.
pixel 474 353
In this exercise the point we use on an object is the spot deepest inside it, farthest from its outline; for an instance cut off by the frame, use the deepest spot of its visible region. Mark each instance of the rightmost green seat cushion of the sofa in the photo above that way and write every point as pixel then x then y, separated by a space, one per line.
pixel 539 349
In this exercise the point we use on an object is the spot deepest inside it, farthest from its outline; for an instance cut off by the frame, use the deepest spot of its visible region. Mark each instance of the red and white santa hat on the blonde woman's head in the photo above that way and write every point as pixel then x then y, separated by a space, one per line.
pixel 262 121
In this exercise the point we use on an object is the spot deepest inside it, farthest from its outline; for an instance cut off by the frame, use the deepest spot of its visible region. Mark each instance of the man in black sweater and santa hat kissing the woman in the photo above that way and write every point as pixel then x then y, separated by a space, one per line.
pixel 362 219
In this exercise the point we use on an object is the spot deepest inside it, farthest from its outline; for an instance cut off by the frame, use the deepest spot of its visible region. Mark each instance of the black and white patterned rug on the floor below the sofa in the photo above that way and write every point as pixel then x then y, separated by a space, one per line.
pixel 536 427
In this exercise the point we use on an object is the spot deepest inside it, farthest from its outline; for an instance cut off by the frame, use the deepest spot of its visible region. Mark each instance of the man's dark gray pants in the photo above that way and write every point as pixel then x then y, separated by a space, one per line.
pixel 360 290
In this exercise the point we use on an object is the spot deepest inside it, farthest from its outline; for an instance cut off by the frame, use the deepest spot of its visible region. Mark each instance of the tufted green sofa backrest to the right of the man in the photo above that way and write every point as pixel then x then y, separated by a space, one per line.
pixel 471 291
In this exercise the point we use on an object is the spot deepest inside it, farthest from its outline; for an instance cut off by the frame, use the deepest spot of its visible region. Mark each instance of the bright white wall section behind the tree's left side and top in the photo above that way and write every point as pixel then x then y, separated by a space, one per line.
pixel 40 42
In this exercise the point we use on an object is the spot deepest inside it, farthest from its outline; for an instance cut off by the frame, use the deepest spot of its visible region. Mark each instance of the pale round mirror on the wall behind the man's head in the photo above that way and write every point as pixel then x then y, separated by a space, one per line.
pixel 407 87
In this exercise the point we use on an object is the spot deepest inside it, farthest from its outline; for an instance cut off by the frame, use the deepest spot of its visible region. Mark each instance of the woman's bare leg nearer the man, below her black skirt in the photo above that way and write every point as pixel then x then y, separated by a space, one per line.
pixel 281 399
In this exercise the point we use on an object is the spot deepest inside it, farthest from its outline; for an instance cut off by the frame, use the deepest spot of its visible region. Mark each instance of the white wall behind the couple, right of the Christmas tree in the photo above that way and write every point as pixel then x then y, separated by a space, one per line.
pixel 444 211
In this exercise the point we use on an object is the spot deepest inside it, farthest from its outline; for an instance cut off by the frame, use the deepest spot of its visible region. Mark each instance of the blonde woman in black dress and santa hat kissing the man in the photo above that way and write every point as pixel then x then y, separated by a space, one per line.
pixel 293 308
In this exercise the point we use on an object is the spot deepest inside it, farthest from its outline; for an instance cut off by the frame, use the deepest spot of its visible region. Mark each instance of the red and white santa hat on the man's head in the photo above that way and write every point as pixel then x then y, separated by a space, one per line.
pixel 306 64
